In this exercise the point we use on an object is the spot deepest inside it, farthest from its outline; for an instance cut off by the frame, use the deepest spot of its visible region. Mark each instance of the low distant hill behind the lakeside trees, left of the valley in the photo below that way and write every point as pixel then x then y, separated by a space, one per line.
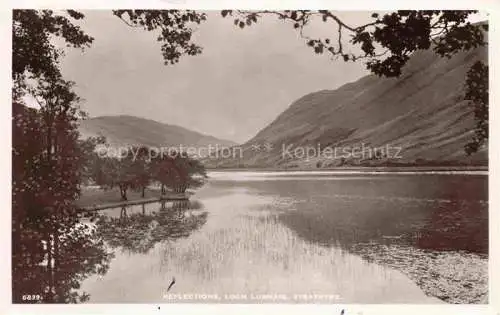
pixel 126 130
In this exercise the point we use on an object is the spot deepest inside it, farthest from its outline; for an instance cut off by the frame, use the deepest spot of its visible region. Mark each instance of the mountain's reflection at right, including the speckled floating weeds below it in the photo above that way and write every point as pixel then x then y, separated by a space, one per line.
pixel 432 228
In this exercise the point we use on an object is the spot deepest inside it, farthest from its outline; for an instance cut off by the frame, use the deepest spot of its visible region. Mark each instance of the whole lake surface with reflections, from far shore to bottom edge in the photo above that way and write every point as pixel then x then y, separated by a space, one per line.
pixel 302 237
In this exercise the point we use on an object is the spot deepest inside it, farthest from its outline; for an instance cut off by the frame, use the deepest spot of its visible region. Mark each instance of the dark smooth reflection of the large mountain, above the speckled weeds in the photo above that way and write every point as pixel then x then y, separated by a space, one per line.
pixel 432 212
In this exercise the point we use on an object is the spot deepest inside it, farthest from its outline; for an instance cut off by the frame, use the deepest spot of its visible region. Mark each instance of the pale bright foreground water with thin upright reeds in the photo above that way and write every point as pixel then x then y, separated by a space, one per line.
pixel 244 254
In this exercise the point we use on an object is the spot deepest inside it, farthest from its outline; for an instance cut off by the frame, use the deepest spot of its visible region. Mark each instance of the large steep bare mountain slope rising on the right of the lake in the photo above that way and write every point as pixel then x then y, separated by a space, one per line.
pixel 423 113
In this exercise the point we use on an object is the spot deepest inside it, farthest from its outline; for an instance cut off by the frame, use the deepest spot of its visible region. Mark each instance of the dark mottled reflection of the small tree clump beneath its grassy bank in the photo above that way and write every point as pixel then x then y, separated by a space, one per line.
pixel 139 232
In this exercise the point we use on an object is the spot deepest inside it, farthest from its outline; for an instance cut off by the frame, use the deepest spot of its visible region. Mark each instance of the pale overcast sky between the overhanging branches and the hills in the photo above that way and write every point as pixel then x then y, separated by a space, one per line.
pixel 238 85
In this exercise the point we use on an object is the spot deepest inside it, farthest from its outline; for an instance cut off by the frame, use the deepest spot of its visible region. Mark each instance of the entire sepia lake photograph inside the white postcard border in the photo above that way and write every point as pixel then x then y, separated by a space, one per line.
pixel 173 156
